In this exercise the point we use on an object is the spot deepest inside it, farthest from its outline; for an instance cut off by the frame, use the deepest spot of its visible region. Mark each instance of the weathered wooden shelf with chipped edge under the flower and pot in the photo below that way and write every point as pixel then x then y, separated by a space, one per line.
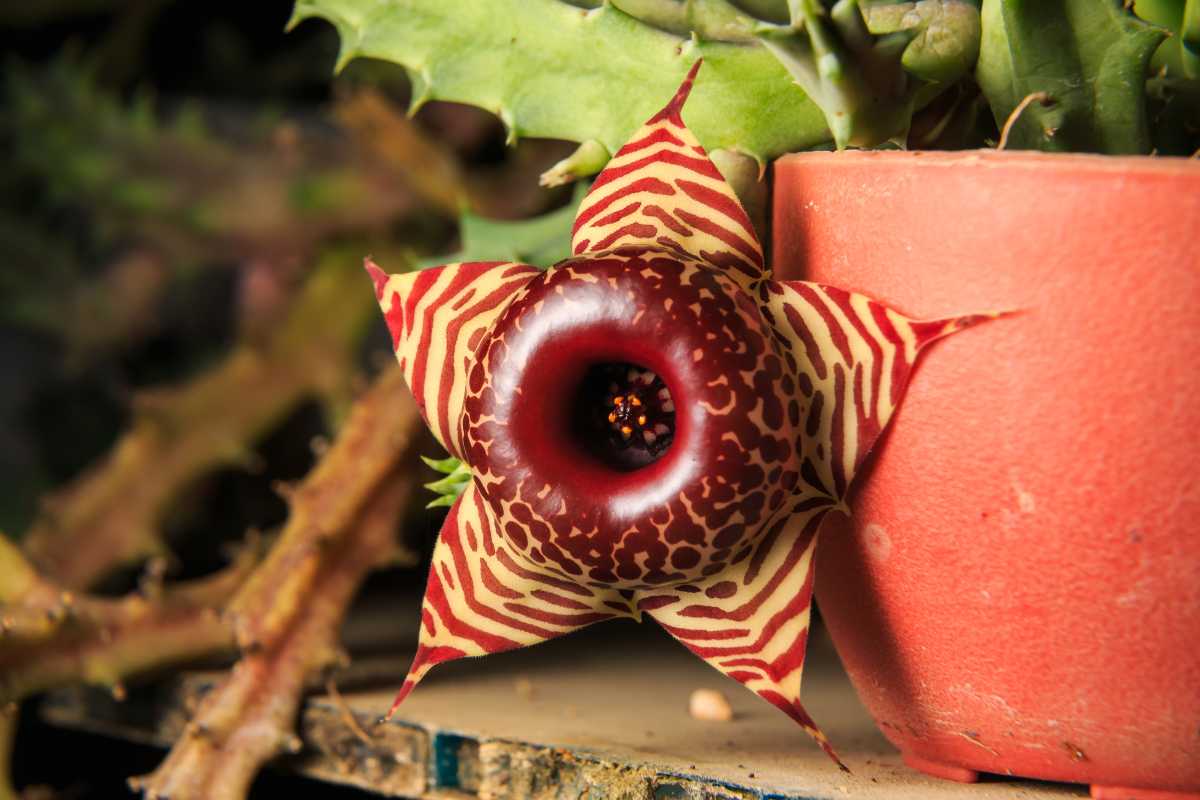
pixel 602 714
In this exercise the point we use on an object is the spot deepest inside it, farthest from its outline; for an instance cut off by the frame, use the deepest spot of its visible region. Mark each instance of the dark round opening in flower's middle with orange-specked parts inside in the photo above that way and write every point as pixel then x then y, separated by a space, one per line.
pixel 623 416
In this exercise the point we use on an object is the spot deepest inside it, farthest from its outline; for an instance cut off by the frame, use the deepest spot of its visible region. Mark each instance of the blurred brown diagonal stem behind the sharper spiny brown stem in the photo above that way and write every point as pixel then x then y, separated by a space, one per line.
pixel 111 515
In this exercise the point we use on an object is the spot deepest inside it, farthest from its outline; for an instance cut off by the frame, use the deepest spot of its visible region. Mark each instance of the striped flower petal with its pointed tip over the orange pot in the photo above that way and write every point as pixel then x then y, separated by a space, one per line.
pixel 854 358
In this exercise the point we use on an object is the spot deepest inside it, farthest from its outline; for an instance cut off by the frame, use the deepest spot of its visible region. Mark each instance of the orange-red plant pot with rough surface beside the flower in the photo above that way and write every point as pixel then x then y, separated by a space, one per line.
pixel 1019 588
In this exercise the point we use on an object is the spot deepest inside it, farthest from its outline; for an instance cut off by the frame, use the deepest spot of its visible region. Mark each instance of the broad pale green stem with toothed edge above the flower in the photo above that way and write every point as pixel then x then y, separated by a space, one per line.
pixel 553 70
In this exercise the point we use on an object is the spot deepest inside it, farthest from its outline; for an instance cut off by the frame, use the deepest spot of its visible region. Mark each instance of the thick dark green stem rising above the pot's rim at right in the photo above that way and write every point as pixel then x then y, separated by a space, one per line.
pixel 1088 57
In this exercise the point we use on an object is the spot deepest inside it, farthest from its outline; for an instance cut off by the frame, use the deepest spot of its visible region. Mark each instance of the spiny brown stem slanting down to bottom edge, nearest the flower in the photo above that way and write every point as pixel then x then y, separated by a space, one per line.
pixel 287 617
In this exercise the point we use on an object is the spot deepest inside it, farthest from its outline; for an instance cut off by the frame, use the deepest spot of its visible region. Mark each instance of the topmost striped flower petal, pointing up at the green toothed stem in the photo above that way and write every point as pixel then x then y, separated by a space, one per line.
pixel 662 191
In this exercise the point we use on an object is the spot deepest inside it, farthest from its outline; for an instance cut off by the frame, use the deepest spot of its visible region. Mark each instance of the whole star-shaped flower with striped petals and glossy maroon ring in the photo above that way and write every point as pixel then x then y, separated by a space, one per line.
pixel 653 426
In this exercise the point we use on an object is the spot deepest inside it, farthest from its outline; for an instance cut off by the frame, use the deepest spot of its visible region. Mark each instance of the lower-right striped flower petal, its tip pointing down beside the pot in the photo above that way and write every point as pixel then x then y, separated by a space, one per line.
pixel 752 621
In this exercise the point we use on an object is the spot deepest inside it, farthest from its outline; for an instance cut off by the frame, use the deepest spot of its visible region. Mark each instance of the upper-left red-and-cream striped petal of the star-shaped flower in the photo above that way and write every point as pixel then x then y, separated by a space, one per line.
pixel 437 318
